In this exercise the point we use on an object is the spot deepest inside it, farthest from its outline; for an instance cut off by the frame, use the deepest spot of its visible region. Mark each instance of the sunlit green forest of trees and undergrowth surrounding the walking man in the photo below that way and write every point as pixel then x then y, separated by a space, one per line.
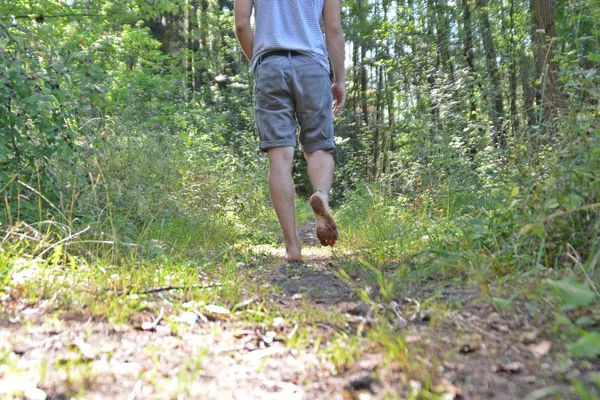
pixel 469 148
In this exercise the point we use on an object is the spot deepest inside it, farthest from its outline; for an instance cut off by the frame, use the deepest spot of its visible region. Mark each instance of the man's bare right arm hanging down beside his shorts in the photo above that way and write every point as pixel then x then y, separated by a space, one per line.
pixel 334 35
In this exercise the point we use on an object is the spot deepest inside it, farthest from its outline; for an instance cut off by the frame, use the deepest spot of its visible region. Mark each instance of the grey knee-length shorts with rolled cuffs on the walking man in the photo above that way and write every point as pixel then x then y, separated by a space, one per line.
pixel 291 91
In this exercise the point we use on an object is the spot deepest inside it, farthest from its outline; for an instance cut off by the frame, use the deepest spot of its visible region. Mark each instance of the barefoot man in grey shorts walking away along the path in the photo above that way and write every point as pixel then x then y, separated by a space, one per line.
pixel 289 57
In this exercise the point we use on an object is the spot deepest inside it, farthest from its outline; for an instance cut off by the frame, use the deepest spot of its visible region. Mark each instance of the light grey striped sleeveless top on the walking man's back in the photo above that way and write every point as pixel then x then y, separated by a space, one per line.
pixel 289 25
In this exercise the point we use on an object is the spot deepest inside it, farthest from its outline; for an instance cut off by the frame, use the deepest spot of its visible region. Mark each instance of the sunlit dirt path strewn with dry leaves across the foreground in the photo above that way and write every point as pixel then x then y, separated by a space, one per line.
pixel 471 351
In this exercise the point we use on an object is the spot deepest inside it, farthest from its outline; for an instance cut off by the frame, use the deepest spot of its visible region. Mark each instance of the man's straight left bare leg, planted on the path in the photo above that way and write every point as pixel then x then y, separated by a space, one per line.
pixel 281 188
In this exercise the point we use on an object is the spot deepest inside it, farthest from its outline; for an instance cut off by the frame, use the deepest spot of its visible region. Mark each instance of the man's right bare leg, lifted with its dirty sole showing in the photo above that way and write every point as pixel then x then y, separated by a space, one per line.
pixel 320 170
